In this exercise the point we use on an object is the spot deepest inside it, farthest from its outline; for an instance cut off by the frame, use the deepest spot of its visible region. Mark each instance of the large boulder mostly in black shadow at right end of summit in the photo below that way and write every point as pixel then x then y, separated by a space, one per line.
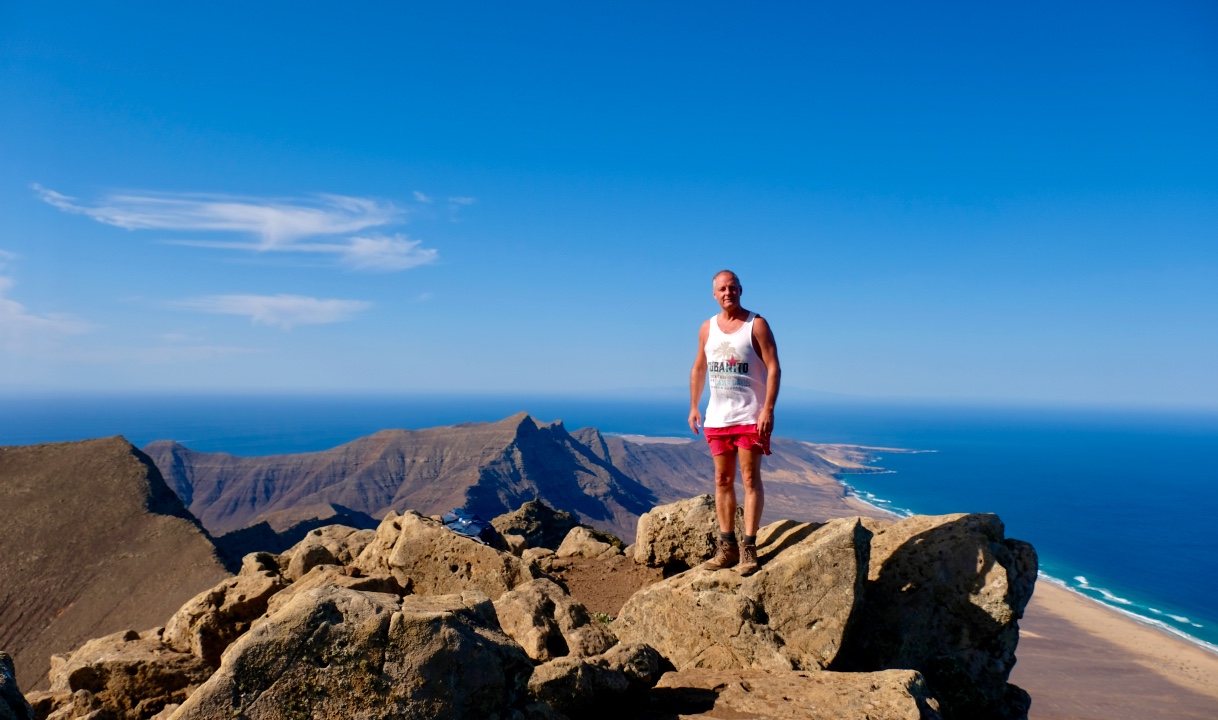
pixel 945 595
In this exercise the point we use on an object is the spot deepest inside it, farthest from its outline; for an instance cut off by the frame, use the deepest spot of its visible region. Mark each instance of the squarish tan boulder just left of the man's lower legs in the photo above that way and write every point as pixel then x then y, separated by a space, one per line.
pixel 681 534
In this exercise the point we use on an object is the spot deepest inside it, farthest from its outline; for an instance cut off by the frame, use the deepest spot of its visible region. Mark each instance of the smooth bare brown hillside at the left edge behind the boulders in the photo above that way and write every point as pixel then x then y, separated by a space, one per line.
pixel 94 543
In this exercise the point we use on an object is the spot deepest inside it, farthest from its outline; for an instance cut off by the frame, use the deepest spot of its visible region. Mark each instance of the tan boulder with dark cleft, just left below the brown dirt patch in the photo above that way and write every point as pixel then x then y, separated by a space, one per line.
pixel 550 624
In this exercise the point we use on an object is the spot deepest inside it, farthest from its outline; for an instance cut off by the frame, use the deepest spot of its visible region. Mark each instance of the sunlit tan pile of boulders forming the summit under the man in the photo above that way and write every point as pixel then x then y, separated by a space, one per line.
pixel 848 619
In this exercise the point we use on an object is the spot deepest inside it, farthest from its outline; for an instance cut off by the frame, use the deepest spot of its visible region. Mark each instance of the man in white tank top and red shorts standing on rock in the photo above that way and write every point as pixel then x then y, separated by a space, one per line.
pixel 737 350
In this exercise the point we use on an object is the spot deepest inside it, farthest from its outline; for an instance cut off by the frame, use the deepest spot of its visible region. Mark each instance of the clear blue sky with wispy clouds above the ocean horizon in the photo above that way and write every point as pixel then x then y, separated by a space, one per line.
pixel 951 202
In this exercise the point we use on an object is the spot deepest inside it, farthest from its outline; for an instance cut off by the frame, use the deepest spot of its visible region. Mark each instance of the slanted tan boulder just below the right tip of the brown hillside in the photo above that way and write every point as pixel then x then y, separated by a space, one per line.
pixel 215 618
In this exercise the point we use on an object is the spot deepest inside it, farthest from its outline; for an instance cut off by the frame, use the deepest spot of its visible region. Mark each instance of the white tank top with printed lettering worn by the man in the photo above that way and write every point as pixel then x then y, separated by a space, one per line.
pixel 737 377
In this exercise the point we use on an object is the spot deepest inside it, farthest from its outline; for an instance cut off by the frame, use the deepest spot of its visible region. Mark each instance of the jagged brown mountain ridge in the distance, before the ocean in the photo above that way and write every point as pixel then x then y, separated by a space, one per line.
pixel 489 468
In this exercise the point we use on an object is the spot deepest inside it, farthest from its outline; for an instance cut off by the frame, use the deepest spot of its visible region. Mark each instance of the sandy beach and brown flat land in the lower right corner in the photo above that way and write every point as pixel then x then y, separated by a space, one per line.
pixel 1082 661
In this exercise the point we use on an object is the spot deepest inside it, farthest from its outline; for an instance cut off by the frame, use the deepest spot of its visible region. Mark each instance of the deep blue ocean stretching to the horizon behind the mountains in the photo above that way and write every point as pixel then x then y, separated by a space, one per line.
pixel 1121 506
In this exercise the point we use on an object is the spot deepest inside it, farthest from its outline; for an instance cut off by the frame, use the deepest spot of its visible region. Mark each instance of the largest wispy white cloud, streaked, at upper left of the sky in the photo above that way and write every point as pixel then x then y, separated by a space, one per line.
pixel 277 226
